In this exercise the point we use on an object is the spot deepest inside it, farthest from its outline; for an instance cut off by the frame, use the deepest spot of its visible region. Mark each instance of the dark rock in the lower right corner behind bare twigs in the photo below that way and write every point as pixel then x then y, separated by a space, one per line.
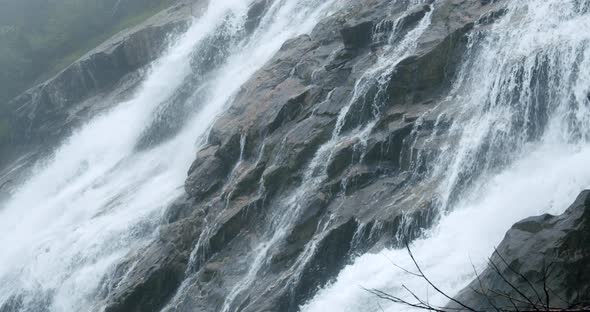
pixel 550 248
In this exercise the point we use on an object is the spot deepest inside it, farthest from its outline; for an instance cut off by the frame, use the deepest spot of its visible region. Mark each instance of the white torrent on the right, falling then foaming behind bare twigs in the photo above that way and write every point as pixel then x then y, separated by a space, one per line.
pixel 536 129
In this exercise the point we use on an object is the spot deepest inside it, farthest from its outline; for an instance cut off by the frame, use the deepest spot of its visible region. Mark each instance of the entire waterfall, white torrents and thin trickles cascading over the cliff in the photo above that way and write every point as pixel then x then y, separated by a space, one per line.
pixel 512 141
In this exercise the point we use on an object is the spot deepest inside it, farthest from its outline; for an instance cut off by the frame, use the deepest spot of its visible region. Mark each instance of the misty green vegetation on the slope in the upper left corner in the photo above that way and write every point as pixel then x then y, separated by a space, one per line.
pixel 38 38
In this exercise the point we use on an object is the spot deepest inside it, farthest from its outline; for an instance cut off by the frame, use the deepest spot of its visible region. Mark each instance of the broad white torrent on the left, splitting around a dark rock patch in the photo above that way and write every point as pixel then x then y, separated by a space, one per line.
pixel 98 198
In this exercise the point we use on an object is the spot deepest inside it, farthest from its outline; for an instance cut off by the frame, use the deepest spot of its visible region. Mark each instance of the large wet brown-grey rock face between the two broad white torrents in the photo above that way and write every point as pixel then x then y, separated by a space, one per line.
pixel 260 158
